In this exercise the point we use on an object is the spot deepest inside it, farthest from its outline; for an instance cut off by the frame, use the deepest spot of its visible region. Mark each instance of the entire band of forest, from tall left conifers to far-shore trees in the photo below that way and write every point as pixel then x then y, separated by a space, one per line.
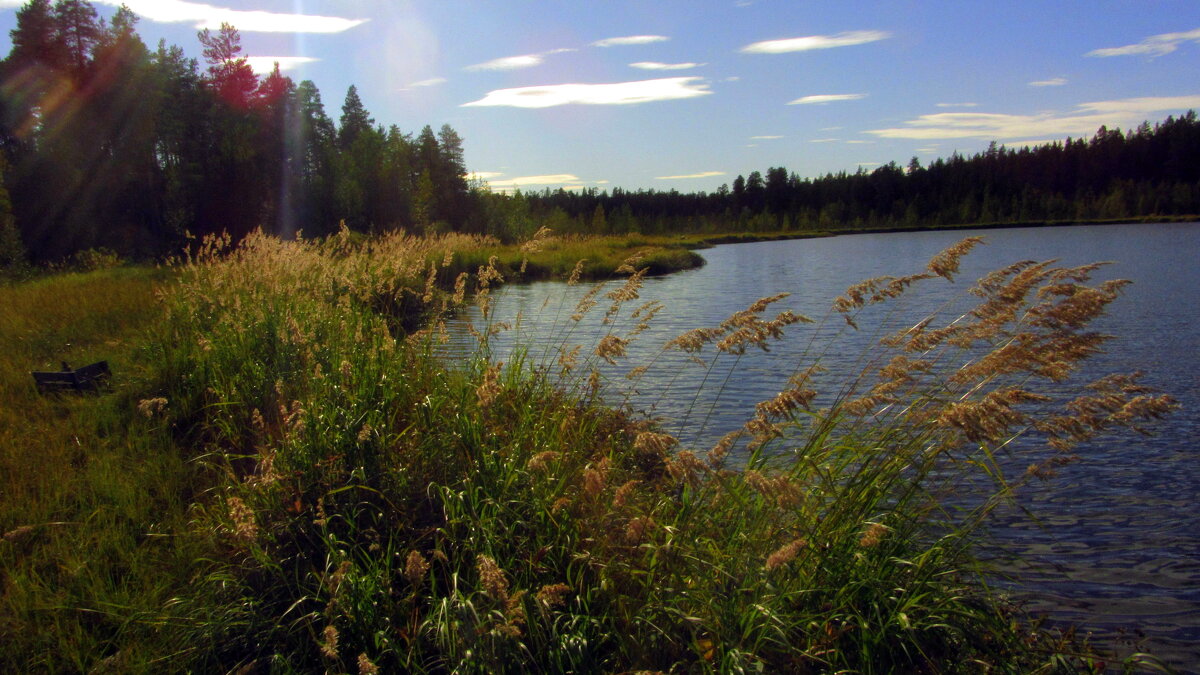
pixel 109 145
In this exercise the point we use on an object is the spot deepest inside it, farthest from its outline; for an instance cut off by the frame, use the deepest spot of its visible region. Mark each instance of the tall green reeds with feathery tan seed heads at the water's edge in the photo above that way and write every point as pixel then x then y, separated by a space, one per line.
pixel 379 510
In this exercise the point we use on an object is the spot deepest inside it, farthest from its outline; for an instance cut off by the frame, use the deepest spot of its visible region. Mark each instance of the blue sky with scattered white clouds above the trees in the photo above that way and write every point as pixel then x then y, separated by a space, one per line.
pixel 687 95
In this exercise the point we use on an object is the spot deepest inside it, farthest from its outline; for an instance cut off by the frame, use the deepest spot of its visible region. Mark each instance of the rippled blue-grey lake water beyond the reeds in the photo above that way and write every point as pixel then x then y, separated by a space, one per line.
pixel 1119 547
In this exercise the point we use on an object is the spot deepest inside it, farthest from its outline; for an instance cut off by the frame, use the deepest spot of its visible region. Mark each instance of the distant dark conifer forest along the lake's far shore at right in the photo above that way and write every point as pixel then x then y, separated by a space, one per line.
pixel 1149 171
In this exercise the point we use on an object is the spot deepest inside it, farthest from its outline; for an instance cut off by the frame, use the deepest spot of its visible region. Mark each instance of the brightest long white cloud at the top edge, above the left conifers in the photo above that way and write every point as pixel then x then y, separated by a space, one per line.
pixel 247 21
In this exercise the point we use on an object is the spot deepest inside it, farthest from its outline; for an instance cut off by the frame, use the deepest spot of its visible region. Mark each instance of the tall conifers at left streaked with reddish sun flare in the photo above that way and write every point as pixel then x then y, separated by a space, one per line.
pixel 106 144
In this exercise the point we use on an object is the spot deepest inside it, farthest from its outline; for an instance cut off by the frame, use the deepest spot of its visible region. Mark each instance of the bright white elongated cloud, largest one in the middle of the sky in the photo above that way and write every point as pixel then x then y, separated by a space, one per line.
pixel 616 94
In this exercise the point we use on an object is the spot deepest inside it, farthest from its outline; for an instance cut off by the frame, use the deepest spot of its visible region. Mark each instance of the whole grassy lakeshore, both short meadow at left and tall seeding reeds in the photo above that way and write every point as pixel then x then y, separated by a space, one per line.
pixel 289 479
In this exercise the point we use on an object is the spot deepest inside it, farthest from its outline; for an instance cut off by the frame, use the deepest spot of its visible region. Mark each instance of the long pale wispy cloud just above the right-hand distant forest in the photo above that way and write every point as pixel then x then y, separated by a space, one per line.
pixel 1087 118
